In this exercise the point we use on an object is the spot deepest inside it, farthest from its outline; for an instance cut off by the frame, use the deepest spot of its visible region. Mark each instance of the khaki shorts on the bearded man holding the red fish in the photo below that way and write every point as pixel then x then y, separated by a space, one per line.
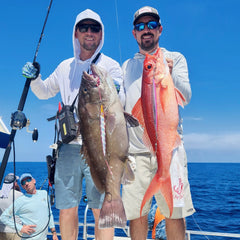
pixel 146 167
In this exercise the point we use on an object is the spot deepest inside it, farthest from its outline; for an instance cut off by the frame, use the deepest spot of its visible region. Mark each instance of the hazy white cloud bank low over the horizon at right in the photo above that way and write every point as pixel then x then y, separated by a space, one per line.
pixel 225 141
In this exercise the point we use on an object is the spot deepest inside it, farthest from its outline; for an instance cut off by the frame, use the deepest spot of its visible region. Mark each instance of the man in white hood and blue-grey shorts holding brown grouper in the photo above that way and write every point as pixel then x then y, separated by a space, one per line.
pixel 71 167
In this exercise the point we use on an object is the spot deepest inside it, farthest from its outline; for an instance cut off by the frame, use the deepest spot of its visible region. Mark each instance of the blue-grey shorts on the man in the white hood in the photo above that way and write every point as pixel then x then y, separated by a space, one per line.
pixel 70 171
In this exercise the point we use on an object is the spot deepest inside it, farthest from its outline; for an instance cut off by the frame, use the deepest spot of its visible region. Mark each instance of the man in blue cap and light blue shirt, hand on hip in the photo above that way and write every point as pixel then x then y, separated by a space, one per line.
pixel 33 209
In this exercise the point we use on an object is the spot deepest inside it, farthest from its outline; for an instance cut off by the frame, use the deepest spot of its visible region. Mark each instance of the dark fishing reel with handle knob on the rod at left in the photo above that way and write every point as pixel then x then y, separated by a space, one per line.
pixel 19 121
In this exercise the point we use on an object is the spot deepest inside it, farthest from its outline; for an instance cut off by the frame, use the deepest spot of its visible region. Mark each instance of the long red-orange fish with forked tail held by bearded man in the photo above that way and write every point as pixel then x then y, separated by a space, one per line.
pixel 157 112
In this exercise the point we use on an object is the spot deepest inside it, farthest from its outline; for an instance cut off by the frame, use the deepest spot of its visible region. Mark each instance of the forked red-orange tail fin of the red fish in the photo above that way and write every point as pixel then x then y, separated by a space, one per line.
pixel 162 184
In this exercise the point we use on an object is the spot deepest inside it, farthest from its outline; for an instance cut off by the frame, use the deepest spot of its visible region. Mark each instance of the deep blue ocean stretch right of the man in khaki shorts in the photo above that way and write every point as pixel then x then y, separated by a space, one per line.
pixel 216 196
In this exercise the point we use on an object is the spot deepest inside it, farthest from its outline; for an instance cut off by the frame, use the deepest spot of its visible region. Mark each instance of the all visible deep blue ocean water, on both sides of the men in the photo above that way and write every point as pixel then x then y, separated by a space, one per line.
pixel 215 192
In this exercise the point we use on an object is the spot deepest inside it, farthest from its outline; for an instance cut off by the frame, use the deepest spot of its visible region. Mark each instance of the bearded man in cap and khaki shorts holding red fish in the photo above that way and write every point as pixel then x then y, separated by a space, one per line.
pixel 147 30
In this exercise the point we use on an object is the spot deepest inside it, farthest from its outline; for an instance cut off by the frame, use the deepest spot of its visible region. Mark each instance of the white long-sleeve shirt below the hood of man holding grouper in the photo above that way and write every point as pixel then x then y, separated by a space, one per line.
pixel 66 78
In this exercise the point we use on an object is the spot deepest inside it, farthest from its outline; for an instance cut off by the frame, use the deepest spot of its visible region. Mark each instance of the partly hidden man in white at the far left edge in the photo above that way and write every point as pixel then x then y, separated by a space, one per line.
pixel 10 185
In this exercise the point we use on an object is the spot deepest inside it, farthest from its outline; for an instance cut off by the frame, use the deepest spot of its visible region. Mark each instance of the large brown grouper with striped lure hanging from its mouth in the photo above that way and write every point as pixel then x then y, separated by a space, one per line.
pixel 105 142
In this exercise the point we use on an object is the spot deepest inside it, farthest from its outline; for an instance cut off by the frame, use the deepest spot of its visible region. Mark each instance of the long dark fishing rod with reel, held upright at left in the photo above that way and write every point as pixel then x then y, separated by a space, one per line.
pixel 18 118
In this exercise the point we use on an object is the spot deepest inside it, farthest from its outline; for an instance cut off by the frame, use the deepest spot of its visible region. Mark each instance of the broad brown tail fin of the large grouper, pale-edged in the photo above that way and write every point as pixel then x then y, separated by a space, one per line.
pixel 112 213
